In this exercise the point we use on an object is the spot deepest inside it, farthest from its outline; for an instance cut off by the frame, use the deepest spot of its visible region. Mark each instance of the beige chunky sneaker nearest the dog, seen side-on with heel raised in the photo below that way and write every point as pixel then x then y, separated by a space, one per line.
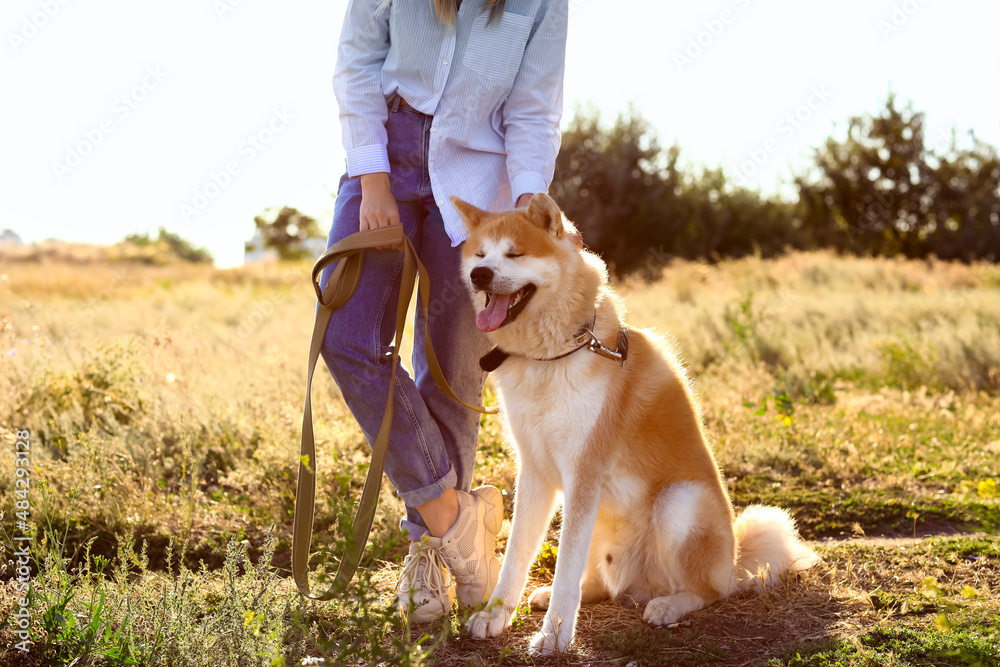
pixel 469 548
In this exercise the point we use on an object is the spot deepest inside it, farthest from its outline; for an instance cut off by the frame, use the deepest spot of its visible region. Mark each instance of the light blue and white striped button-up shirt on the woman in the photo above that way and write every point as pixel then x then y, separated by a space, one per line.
pixel 494 90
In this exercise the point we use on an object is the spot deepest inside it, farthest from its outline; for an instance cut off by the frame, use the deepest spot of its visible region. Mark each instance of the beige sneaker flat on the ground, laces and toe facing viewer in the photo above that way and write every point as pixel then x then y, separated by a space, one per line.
pixel 426 582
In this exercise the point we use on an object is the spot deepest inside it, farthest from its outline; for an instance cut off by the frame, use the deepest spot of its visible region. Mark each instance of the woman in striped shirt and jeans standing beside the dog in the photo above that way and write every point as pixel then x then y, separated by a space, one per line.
pixel 437 98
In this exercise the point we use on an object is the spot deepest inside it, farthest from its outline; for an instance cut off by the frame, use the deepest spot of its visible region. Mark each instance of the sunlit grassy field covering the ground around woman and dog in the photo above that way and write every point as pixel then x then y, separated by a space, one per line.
pixel 164 404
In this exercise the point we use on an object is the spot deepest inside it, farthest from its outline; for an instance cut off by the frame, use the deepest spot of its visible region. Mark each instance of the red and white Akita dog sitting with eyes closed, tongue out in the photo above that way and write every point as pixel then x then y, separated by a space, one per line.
pixel 606 416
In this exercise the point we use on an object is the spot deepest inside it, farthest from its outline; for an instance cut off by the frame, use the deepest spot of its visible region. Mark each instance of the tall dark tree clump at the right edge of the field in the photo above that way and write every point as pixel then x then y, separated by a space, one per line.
pixel 882 191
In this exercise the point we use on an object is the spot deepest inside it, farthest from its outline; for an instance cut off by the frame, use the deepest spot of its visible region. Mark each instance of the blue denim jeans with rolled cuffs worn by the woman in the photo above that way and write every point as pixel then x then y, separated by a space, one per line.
pixel 432 447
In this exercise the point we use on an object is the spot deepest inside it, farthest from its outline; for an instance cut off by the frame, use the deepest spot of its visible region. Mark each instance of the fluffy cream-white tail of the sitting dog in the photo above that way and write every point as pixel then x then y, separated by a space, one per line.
pixel 769 547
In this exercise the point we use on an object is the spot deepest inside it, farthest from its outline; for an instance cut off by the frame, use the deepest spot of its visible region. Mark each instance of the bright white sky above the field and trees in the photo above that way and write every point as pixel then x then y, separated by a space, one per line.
pixel 121 117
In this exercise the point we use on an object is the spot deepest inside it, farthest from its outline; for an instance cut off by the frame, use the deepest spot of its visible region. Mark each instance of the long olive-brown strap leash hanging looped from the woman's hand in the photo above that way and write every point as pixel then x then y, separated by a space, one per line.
pixel 350 254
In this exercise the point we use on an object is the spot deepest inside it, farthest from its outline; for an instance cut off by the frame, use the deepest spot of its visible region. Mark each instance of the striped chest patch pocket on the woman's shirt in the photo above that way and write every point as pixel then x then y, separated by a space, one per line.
pixel 495 50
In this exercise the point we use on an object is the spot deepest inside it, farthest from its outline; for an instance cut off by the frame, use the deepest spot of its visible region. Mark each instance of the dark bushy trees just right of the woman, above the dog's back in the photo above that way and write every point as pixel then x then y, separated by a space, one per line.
pixel 636 207
